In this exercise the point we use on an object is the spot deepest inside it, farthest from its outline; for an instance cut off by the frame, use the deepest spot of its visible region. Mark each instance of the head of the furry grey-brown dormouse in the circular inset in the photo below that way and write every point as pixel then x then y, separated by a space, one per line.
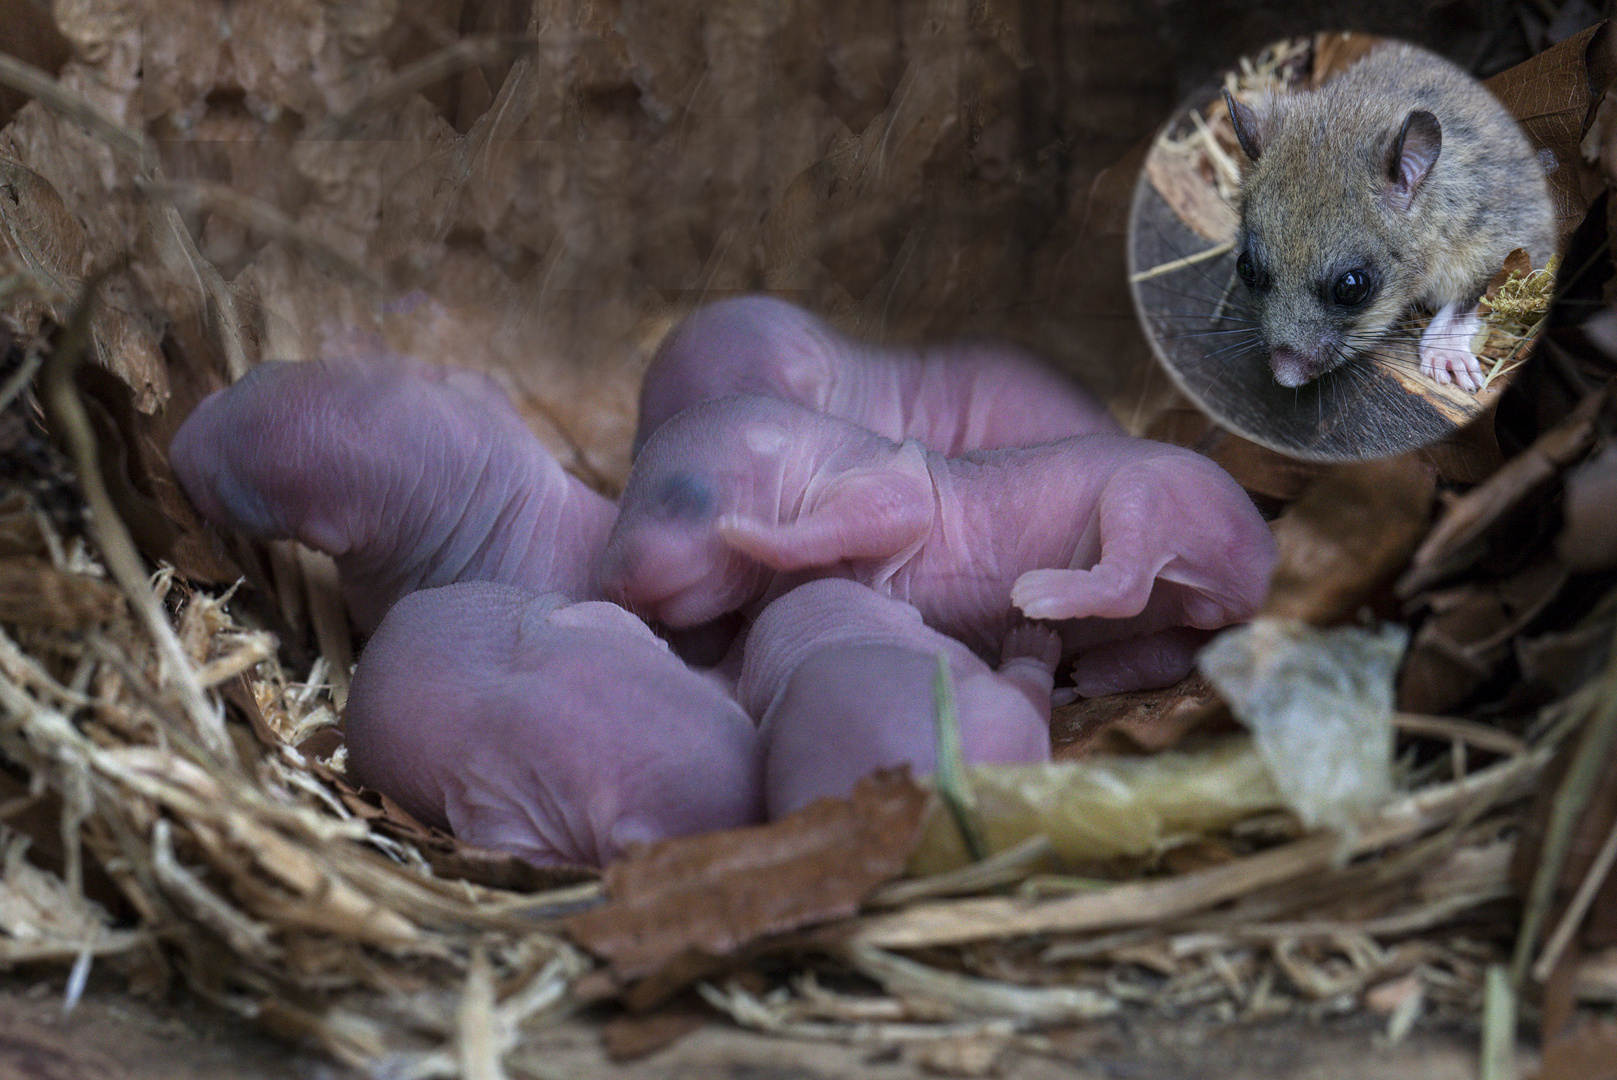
pixel 1325 242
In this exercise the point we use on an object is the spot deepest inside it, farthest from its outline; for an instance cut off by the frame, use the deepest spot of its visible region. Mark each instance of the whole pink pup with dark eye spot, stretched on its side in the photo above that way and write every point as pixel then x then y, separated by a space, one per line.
pixel 1138 547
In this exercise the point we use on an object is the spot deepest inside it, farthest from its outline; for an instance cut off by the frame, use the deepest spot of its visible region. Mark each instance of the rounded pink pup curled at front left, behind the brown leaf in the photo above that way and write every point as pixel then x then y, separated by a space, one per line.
pixel 557 732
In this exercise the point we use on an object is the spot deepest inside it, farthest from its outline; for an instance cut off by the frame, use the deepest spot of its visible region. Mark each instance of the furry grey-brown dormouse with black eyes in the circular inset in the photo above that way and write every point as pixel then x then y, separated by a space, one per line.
pixel 1400 184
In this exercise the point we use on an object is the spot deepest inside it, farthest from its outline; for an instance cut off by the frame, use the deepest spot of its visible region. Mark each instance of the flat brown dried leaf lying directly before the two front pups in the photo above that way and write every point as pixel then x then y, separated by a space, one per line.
pixel 714 895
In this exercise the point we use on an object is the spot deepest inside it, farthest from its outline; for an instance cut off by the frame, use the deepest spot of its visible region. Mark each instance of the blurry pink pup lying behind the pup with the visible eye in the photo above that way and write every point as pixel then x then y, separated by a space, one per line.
pixel 952 397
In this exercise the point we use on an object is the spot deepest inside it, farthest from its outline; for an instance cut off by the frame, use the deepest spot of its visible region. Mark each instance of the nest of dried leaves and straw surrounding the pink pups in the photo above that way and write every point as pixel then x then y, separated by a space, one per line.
pixel 190 190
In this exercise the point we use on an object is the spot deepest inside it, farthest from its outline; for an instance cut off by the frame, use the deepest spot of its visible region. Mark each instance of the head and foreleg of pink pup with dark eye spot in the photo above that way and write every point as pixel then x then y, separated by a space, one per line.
pixel 733 491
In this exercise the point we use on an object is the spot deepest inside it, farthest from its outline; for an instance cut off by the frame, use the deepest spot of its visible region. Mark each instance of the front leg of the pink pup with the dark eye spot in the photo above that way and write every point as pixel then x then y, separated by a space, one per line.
pixel 880 512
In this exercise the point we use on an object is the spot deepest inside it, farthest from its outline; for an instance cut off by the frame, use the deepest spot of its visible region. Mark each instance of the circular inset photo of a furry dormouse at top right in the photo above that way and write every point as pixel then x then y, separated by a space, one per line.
pixel 1345 250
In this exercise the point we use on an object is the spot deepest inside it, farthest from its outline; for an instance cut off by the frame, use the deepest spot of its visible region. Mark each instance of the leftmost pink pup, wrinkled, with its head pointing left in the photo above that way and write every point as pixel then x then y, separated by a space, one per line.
pixel 408 475
